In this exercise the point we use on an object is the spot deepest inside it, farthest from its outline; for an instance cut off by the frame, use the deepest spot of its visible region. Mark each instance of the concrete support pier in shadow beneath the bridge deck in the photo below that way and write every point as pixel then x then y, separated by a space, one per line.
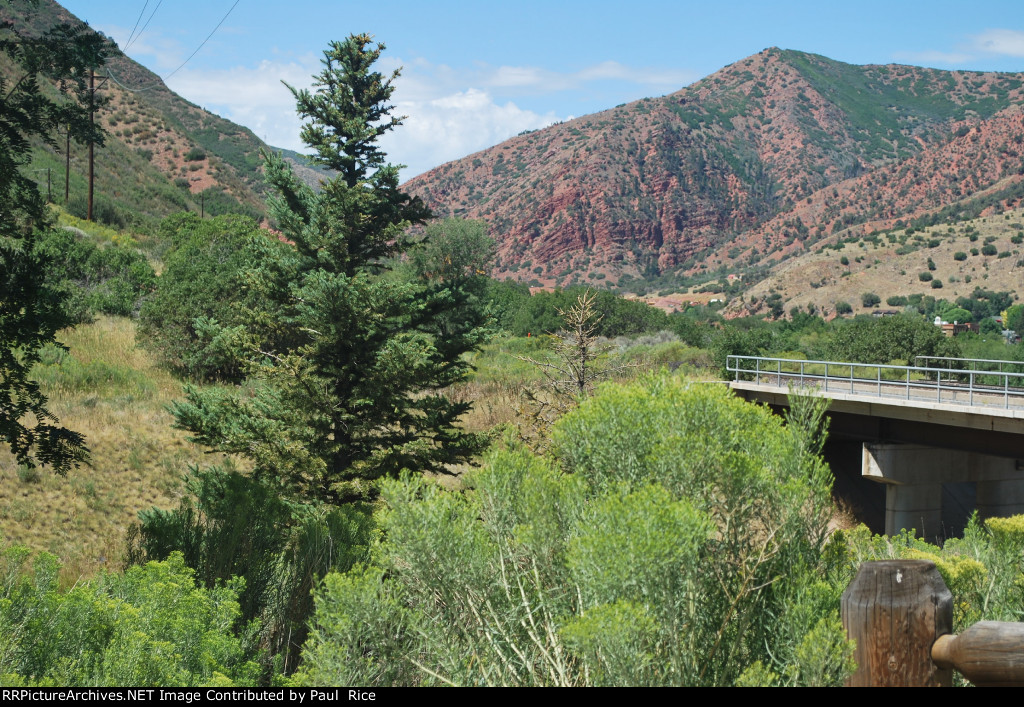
pixel 915 477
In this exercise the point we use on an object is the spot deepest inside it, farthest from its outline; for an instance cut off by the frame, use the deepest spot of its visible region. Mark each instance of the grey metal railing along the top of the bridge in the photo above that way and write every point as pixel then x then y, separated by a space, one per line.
pixel 969 387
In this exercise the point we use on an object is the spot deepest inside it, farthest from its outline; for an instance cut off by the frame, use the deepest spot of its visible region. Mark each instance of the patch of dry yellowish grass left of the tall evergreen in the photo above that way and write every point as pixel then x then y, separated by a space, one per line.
pixel 117 396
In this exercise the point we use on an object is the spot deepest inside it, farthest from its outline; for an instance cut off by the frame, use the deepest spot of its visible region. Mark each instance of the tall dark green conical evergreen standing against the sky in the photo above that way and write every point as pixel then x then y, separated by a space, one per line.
pixel 357 393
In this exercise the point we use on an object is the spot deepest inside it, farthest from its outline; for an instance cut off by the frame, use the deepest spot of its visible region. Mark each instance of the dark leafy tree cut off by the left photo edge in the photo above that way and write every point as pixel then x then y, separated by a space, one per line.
pixel 31 310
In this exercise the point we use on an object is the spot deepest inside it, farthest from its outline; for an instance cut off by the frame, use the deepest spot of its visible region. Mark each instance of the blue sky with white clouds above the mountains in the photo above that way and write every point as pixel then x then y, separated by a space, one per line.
pixel 476 73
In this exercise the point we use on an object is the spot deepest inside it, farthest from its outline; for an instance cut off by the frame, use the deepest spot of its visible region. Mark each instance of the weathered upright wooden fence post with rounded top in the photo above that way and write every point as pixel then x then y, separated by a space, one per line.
pixel 897 610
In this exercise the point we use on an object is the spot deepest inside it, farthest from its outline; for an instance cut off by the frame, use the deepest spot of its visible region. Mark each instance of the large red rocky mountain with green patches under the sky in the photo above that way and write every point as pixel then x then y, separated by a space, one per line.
pixel 772 156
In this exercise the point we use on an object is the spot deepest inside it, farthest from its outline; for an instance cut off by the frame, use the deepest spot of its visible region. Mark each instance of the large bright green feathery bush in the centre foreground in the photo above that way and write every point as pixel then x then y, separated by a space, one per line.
pixel 674 543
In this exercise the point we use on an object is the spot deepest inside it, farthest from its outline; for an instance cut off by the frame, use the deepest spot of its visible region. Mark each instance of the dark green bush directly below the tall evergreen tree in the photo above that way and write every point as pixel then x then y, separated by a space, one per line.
pixel 230 525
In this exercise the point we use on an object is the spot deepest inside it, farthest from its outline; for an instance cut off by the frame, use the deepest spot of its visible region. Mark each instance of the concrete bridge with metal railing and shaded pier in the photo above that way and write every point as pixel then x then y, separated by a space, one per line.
pixel 946 437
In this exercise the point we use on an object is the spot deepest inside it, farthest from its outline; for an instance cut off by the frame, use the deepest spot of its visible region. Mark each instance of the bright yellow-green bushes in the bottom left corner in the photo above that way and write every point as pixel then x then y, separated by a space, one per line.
pixel 150 627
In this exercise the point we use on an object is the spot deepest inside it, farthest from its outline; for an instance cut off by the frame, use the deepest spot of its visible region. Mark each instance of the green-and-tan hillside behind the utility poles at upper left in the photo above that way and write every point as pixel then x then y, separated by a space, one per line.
pixel 162 154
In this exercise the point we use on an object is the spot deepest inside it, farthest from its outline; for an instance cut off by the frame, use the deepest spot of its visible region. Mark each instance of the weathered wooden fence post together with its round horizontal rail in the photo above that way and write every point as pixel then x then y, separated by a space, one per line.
pixel 901 614
